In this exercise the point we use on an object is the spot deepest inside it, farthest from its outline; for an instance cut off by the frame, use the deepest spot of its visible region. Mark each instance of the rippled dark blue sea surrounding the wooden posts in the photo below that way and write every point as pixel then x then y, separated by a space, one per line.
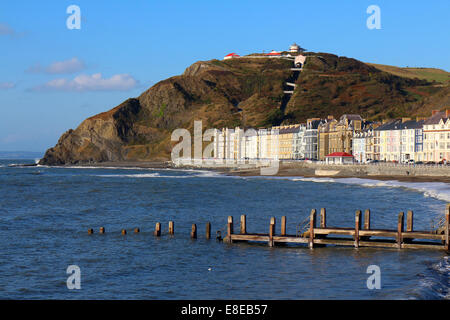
pixel 45 214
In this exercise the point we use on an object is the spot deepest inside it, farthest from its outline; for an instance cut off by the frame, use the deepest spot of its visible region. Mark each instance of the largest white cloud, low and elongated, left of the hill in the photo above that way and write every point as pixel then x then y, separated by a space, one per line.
pixel 95 82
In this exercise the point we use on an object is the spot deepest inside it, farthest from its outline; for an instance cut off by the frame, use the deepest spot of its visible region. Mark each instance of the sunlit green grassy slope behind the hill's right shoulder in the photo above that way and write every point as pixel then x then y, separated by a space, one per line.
pixel 429 74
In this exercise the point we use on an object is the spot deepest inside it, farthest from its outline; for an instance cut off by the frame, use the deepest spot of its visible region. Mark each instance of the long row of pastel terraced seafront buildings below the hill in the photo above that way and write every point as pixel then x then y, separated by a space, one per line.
pixel 350 136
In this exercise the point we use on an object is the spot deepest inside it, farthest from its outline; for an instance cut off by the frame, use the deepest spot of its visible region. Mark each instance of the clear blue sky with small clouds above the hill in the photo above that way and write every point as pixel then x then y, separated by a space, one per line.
pixel 52 78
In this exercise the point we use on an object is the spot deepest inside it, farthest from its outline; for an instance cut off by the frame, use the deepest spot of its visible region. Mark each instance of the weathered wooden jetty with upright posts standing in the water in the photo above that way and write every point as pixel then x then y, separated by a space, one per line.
pixel 361 235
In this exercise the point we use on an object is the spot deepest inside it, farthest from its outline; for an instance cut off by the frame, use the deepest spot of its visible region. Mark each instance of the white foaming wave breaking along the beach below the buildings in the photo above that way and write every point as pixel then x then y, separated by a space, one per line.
pixel 438 190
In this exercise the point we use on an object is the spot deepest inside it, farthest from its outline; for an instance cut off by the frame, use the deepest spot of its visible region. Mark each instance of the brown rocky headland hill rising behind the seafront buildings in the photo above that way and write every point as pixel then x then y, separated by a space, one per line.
pixel 246 92
